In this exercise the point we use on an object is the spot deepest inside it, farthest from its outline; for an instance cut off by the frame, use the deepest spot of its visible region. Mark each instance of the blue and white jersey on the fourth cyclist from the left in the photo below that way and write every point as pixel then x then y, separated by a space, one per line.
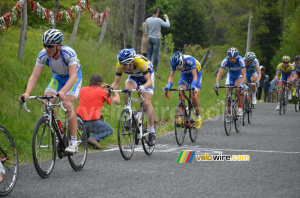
pixel 234 69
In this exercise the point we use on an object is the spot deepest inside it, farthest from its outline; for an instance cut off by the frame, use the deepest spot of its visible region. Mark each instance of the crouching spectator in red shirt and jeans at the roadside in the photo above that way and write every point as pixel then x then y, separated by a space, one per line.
pixel 91 100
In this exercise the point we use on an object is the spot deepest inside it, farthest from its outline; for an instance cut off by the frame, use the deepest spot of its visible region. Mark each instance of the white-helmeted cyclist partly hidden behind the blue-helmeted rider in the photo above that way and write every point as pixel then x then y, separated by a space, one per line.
pixel 253 73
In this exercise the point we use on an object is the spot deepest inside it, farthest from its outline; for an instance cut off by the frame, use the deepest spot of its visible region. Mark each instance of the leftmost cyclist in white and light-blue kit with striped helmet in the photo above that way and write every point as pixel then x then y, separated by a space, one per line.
pixel 66 80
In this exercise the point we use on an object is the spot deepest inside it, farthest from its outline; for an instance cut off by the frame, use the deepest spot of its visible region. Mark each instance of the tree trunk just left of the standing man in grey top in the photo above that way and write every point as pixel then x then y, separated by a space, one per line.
pixel 139 15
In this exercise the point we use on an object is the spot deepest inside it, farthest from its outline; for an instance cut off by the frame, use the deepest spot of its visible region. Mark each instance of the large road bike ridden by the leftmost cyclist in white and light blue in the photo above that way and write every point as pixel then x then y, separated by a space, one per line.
pixel 48 138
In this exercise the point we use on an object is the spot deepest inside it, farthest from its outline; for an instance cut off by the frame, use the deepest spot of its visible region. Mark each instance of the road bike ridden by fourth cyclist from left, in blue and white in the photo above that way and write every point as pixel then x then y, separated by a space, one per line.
pixel 230 114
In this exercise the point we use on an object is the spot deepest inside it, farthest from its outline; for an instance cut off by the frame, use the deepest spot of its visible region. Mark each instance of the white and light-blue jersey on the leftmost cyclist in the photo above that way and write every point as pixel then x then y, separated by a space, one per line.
pixel 60 66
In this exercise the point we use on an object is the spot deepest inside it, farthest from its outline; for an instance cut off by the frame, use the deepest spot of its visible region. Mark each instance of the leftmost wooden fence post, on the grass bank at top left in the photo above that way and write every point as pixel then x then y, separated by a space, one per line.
pixel 23 31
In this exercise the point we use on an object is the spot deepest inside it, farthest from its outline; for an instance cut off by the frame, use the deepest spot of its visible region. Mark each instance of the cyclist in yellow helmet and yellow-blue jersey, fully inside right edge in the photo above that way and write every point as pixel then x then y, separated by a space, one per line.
pixel 287 74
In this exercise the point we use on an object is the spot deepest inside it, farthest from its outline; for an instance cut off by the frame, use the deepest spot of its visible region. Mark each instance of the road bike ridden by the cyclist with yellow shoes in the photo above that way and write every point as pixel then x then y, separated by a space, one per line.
pixel 185 116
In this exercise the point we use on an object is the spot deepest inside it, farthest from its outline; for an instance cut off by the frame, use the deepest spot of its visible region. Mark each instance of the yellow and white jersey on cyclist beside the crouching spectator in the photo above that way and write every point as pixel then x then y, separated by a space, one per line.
pixel 140 67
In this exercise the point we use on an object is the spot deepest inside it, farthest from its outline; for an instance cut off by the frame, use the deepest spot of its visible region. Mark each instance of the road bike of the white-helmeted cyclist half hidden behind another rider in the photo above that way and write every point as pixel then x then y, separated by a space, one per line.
pixel 247 103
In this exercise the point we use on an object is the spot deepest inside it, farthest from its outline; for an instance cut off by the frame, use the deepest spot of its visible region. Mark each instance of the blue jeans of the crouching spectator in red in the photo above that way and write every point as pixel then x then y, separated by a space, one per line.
pixel 99 128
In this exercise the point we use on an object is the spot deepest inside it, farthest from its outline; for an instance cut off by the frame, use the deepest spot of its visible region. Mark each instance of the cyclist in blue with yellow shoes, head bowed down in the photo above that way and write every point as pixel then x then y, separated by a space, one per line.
pixel 191 77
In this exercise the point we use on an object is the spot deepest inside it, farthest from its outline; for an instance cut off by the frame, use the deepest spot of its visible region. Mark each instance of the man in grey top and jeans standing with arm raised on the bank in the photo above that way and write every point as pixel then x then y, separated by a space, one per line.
pixel 153 31
